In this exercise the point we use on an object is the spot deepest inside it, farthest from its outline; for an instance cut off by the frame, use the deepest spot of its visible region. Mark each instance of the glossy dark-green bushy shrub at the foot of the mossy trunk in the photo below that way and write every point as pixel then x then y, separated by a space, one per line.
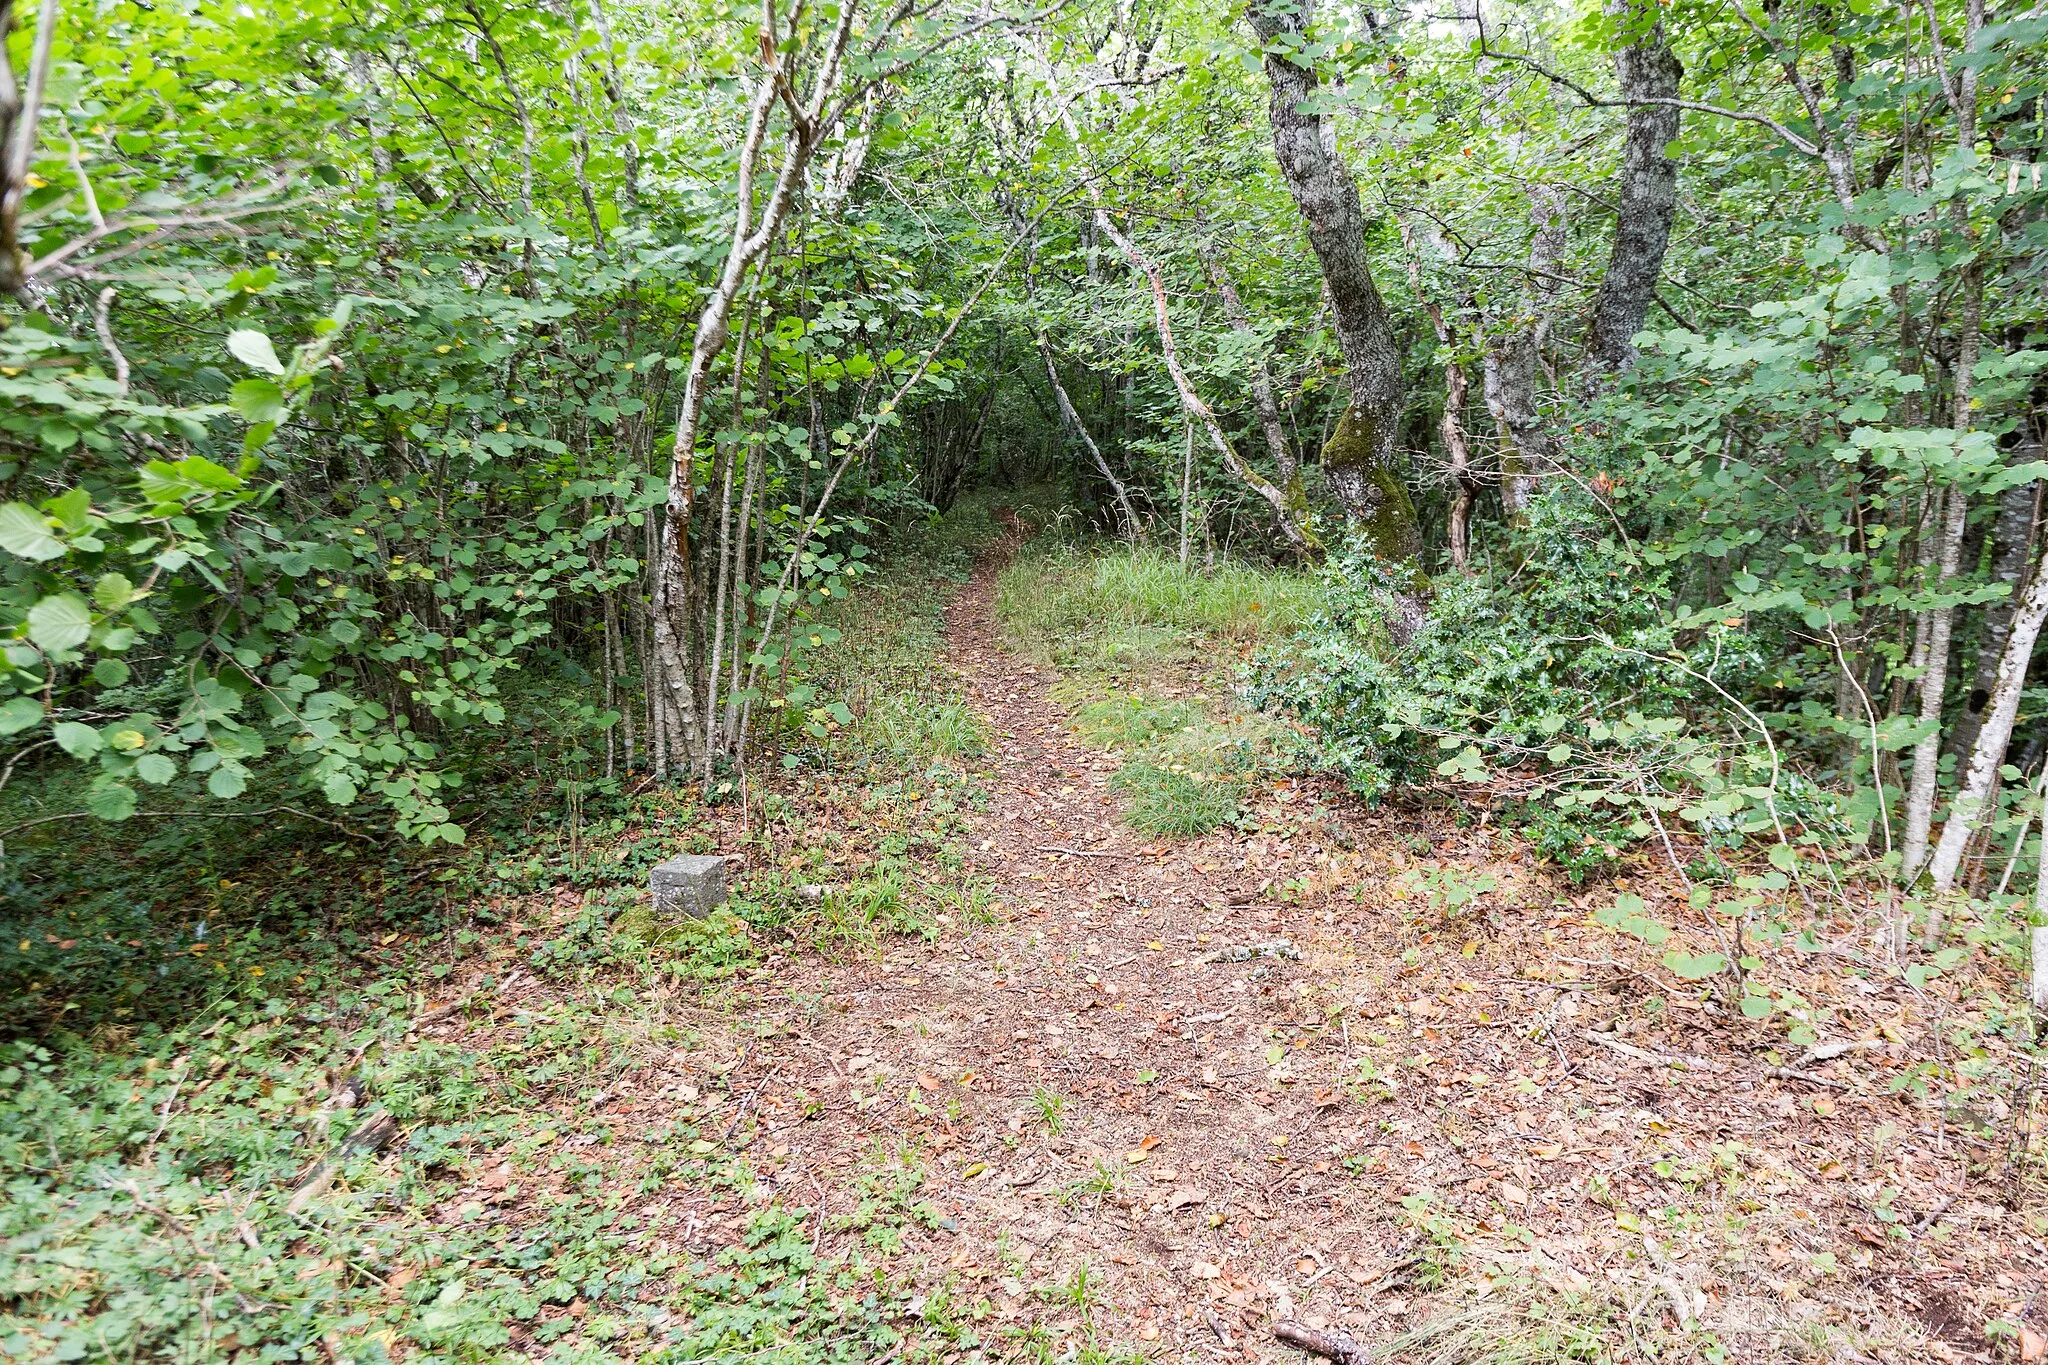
pixel 1562 691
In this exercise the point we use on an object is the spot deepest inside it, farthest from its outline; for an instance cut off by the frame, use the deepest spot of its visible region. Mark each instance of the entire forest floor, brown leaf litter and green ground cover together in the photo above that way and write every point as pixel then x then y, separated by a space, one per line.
pixel 982 1073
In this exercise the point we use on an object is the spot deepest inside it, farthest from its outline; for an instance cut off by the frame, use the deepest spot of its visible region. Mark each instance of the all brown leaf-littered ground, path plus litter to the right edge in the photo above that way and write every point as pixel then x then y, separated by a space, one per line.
pixel 1177 1090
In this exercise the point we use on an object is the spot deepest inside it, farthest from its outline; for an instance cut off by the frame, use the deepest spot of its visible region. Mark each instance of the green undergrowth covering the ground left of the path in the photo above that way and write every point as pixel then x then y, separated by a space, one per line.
pixel 194 1028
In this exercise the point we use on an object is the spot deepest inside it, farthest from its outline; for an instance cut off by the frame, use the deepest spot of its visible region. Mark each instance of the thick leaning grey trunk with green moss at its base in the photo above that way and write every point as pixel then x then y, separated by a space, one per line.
pixel 1359 461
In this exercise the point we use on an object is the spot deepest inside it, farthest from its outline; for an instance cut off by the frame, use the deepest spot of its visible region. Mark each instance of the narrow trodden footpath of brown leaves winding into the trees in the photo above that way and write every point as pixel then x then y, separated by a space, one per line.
pixel 1111 1047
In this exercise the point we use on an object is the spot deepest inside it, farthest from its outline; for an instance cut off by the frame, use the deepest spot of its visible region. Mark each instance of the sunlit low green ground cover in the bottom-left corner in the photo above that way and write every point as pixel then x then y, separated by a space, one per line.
pixel 148 1215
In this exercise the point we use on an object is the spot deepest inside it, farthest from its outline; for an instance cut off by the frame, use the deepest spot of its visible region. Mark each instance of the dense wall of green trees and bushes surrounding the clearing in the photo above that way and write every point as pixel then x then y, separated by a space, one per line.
pixel 361 367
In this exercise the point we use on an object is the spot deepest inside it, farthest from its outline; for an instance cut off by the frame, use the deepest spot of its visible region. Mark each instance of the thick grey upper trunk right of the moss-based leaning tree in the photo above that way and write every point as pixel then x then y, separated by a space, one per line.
pixel 1648 191
